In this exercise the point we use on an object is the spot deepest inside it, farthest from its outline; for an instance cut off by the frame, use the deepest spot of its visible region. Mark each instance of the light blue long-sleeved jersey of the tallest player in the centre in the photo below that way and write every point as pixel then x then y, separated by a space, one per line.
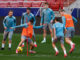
pixel 47 16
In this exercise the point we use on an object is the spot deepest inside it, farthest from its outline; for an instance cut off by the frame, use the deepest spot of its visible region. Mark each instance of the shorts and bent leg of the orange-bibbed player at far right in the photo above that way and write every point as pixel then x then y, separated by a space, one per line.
pixel 69 34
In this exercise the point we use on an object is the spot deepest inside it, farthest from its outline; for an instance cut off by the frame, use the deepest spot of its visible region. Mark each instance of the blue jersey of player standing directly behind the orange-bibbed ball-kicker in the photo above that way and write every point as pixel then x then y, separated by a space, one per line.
pixel 25 18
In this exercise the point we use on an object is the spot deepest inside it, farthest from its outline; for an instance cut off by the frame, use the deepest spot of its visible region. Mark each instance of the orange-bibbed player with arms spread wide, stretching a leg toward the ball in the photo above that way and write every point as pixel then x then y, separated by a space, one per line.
pixel 27 33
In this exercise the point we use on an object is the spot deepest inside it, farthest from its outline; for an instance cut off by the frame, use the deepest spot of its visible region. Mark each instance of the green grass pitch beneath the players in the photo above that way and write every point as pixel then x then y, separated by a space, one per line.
pixel 44 51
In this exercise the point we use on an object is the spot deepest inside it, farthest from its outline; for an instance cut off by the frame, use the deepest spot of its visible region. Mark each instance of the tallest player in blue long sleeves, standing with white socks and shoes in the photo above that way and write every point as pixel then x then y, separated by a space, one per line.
pixel 47 20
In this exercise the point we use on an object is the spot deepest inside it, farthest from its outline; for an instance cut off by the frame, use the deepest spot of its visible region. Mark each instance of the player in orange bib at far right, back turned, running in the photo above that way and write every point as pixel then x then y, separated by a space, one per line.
pixel 69 23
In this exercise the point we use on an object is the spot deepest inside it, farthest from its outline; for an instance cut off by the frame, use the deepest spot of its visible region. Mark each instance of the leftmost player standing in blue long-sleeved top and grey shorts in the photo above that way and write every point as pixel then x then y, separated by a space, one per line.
pixel 8 22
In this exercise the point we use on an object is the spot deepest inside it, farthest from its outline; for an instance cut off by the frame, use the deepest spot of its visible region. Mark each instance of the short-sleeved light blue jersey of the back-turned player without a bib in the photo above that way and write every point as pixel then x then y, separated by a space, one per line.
pixel 59 27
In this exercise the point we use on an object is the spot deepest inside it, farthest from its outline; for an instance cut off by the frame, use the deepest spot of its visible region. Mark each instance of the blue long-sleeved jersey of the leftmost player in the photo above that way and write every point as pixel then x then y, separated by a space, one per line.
pixel 9 22
